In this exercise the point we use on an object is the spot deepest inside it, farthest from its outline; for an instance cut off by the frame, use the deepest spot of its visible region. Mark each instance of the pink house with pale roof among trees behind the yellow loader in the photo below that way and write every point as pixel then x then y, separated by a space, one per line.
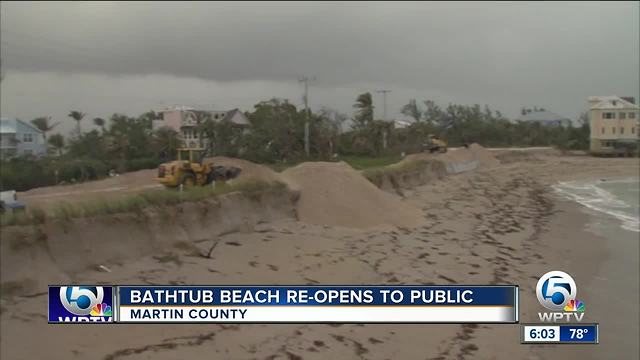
pixel 185 120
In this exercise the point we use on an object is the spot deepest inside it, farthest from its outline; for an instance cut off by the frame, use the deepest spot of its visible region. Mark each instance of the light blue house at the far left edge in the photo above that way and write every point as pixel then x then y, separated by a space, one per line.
pixel 19 138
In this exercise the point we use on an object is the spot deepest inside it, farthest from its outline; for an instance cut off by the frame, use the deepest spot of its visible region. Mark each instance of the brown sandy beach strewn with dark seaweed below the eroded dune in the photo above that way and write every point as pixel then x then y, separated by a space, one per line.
pixel 499 224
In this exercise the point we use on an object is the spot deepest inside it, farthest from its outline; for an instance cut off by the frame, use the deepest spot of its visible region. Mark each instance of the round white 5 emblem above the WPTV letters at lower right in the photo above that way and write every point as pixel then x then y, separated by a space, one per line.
pixel 555 289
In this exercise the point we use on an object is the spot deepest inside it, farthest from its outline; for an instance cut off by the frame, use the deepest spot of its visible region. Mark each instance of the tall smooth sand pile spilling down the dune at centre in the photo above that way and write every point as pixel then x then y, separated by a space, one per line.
pixel 336 194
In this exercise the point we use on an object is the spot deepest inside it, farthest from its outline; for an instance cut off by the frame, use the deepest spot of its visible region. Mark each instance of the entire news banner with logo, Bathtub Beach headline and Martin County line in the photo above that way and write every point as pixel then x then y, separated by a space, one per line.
pixel 283 304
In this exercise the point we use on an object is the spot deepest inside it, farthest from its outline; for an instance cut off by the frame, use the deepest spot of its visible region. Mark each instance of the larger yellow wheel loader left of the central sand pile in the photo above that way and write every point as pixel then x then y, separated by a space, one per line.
pixel 189 170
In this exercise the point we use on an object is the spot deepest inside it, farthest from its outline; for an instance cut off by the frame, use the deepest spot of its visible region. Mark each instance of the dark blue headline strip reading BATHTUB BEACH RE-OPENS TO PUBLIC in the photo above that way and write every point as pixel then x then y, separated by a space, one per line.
pixel 318 295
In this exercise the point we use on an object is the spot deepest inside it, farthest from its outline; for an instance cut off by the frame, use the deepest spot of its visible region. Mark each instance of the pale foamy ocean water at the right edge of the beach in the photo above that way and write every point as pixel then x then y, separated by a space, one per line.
pixel 618 198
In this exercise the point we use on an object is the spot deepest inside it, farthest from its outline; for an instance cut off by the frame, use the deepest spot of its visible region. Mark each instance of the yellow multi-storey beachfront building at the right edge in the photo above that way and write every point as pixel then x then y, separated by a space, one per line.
pixel 614 125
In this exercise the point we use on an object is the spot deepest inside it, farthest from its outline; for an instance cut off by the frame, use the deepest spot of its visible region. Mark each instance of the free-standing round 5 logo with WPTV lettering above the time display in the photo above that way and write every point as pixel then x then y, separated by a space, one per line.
pixel 556 291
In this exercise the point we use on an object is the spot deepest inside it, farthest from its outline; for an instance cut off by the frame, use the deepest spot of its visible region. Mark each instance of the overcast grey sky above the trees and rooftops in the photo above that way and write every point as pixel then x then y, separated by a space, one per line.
pixel 102 58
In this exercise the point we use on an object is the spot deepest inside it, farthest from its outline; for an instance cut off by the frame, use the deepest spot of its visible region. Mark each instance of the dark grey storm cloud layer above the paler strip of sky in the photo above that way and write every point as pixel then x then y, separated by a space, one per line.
pixel 395 42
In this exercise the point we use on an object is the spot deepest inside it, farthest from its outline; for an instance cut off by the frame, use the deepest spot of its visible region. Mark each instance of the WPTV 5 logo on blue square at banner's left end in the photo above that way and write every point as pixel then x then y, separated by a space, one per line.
pixel 80 304
